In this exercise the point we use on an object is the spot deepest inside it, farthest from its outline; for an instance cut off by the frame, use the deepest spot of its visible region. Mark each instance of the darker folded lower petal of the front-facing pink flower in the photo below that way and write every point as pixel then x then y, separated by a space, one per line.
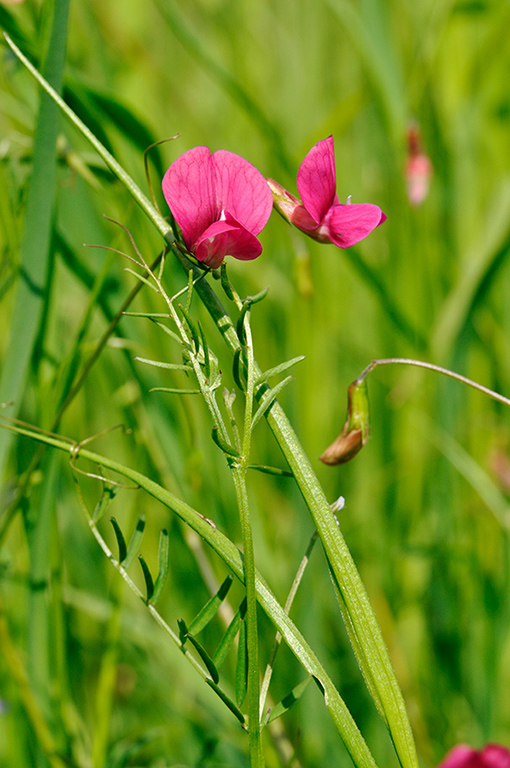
pixel 226 238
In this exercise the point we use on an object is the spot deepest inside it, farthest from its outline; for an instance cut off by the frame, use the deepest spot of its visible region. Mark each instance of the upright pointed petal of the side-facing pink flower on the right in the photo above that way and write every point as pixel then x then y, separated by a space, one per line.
pixel 316 179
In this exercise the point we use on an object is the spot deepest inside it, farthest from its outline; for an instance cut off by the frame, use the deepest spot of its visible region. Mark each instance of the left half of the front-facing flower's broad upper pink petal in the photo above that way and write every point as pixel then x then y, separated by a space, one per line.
pixel 189 191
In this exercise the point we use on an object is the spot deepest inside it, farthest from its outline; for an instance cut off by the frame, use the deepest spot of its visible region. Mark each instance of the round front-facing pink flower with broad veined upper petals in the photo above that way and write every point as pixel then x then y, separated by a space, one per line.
pixel 220 201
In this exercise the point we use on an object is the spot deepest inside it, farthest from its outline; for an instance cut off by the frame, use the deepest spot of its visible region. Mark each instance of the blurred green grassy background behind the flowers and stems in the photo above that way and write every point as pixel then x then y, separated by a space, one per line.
pixel 427 501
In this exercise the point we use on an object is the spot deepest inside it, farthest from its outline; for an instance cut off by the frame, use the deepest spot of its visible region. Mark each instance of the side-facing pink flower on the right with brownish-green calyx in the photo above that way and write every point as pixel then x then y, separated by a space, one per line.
pixel 321 215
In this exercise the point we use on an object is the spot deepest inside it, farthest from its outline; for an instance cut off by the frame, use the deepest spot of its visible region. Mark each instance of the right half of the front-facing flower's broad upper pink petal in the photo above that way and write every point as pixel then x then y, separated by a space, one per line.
pixel 242 190
